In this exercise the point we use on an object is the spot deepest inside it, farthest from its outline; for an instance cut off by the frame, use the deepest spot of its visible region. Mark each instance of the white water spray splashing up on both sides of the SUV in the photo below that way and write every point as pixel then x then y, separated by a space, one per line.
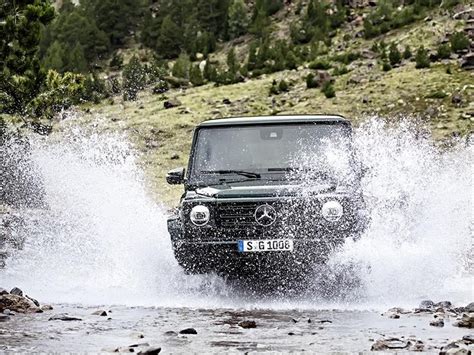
pixel 103 240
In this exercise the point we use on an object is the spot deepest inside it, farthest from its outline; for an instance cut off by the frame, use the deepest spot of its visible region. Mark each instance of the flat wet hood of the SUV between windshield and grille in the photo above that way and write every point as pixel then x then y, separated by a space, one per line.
pixel 239 191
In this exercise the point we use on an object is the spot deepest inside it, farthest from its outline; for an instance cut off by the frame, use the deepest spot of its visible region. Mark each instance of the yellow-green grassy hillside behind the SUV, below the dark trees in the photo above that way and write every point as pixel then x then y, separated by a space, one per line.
pixel 441 95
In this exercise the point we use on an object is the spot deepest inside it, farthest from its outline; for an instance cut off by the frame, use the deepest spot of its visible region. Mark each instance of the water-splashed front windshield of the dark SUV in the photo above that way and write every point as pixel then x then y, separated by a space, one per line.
pixel 273 151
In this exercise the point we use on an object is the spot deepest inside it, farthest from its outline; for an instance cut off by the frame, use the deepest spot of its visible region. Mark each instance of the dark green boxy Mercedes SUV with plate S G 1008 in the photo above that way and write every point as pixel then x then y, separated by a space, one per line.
pixel 266 193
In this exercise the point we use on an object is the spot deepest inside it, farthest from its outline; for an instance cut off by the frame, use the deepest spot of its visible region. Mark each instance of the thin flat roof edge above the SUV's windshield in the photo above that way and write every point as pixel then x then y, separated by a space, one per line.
pixel 233 121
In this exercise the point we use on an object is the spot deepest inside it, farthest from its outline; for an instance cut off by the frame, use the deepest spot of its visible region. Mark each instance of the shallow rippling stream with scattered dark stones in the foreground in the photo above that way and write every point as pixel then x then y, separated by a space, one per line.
pixel 26 325
